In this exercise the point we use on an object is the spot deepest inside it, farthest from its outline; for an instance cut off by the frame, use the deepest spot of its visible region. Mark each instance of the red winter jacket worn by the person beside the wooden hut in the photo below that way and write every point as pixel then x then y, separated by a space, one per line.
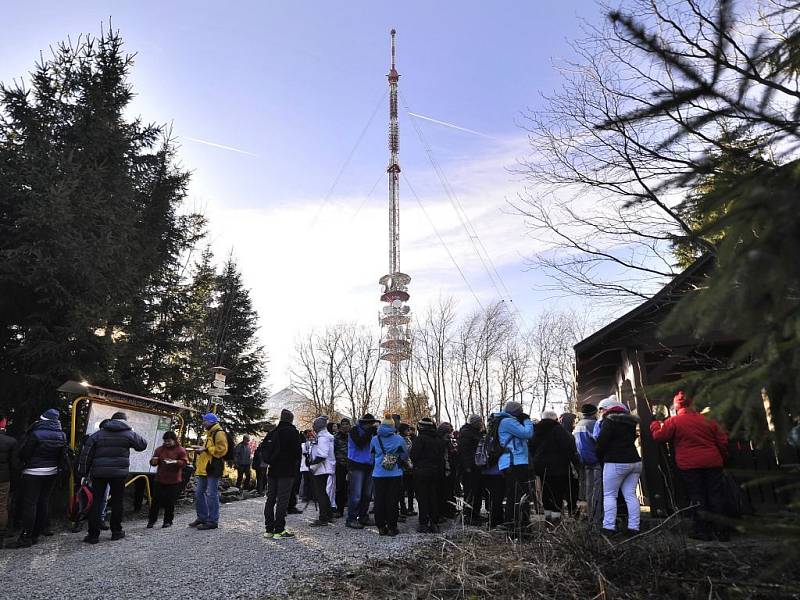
pixel 699 442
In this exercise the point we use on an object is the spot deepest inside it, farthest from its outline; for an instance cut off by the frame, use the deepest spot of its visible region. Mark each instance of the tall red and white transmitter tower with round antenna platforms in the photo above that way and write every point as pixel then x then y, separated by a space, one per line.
pixel 395 341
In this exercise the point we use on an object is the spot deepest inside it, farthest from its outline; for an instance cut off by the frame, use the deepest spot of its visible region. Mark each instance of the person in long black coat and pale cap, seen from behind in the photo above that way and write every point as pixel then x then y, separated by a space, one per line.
pixel 554 454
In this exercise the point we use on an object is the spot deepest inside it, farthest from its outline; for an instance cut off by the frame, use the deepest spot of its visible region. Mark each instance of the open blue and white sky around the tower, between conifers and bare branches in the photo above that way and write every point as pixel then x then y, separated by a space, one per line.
pixel 292 85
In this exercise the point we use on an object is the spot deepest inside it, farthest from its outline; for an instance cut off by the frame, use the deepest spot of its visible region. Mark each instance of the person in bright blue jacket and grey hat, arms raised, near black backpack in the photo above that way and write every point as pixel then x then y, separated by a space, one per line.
pixel 513 433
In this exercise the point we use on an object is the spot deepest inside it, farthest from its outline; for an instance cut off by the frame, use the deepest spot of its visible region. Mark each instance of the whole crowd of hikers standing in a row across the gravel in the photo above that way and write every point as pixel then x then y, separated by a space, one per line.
pixel 511 465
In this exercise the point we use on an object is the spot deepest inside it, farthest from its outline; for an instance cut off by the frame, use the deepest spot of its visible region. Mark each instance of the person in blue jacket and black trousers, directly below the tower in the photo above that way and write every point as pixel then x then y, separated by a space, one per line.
pixel 390 452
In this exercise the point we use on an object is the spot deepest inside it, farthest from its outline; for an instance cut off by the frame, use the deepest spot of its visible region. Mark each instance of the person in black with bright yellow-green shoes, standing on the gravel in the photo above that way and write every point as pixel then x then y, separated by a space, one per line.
pixel 281 450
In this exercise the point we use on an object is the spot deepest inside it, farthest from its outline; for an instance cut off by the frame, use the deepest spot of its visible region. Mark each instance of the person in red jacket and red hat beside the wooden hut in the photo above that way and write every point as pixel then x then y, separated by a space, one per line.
pixel 700 449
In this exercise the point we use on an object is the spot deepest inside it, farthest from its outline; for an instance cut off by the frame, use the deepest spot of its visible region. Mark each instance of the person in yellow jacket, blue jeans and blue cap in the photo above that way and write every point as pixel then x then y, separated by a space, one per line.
pixel 210 465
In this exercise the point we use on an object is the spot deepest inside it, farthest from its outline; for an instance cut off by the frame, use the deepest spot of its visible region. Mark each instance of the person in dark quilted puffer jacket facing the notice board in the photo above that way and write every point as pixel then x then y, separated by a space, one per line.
pixel 105 459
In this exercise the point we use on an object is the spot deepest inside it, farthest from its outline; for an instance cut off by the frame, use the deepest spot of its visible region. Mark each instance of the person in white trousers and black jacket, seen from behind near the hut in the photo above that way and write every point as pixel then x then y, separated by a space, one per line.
pixel 622 466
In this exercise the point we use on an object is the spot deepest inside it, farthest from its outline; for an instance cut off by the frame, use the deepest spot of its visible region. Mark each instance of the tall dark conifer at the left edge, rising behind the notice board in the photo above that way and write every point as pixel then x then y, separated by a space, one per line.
pixel 87 221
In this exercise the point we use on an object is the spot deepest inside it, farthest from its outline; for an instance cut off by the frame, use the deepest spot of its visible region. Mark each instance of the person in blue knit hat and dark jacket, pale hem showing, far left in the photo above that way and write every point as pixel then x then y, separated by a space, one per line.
pixel 41 454
